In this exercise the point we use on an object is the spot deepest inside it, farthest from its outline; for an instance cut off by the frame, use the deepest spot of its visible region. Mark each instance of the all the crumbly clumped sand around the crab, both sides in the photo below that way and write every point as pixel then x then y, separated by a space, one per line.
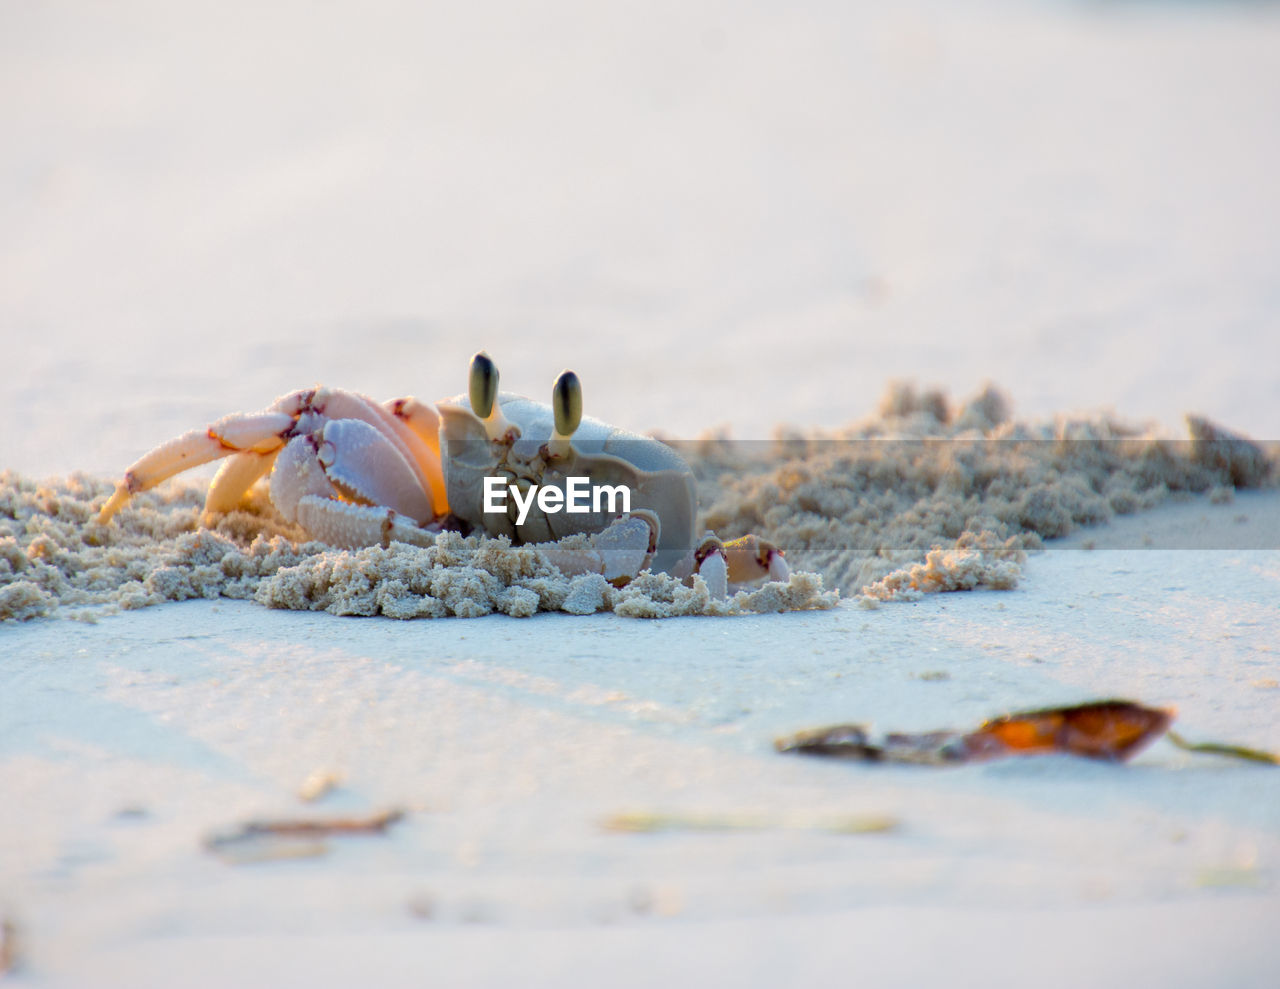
pixel 921 498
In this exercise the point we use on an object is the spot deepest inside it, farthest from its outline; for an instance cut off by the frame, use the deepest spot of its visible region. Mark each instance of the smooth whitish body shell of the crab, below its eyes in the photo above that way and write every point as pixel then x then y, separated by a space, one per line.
pixel 659 479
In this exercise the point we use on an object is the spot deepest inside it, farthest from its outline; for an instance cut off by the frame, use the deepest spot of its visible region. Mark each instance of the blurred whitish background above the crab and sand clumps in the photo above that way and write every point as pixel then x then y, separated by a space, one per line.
pixel 735 214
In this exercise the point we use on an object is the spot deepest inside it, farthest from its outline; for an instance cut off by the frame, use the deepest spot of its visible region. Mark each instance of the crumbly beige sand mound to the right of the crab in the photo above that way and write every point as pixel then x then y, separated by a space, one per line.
pixel 927 497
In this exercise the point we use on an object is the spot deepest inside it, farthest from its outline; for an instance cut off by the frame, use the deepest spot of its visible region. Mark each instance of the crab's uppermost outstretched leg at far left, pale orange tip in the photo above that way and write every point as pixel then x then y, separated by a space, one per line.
pixel 260 433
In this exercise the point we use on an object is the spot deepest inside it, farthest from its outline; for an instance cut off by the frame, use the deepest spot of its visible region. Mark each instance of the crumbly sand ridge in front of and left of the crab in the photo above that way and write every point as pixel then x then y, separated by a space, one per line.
pixel 56 558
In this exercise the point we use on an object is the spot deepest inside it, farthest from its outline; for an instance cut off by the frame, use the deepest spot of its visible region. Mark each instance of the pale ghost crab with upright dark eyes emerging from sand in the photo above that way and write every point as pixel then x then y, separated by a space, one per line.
pixel 354 473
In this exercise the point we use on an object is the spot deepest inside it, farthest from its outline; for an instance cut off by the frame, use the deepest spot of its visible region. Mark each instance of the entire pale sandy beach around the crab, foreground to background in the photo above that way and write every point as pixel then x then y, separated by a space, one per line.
pixel 730 222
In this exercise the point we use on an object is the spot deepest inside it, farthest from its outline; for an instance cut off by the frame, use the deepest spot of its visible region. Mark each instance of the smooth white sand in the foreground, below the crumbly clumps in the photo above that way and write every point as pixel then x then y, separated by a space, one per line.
pixel 509 741
